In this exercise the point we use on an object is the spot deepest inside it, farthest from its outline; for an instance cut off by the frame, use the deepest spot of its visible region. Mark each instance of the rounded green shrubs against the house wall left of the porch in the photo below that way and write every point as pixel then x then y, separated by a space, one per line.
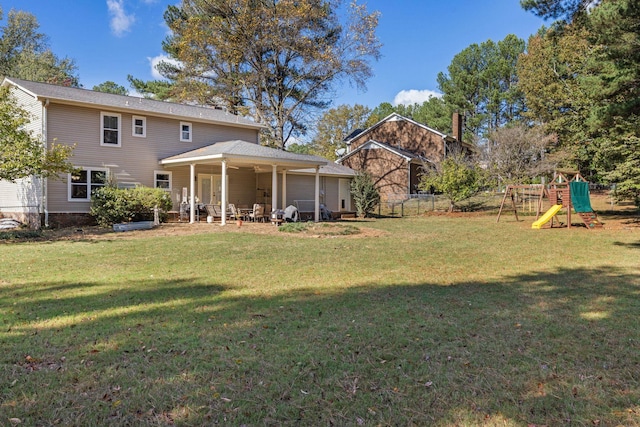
pixel 111 205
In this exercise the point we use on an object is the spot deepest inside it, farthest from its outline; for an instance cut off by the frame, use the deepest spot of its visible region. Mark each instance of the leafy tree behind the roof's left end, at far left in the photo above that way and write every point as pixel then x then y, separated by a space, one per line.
pixel 24 53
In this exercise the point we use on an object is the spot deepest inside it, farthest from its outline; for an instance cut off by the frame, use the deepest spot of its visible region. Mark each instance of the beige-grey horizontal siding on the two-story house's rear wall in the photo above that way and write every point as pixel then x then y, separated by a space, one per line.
pixel 135 161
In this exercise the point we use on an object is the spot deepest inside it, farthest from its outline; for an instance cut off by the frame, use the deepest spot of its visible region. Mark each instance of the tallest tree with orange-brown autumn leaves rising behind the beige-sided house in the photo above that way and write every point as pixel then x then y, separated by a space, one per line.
pixel 275 60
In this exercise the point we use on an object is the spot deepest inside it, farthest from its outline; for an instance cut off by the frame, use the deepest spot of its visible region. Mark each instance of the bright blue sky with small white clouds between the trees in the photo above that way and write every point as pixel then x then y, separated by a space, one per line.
pixel 110 39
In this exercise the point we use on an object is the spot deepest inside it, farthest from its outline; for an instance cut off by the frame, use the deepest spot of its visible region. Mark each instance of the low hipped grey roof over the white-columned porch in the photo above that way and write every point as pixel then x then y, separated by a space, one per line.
pixel 243 154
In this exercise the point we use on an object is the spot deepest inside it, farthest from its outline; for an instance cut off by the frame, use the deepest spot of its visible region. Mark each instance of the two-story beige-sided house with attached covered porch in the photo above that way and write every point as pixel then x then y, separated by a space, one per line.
pixel 194 153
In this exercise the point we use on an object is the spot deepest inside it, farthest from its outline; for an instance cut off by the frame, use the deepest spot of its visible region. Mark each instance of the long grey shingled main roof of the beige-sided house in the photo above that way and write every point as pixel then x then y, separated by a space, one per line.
pixel 85 97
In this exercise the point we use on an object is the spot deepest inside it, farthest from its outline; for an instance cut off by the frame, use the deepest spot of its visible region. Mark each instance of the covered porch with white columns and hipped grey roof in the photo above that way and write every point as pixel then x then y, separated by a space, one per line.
pixel 241 173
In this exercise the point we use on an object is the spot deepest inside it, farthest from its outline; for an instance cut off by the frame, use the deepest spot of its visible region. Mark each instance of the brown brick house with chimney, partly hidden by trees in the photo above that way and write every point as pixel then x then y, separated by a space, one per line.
pixel 395 150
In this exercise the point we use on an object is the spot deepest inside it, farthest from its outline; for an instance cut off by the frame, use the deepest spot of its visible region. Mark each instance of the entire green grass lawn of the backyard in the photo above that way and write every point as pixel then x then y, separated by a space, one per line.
pixel 428 321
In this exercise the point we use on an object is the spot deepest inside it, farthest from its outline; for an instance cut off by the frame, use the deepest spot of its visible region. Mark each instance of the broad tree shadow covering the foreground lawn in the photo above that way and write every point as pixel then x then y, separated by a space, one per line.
pixel 544 348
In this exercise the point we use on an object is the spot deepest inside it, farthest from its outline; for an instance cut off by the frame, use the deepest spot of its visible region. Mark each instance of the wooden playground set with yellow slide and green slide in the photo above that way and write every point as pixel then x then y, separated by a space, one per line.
pixel 563 193
